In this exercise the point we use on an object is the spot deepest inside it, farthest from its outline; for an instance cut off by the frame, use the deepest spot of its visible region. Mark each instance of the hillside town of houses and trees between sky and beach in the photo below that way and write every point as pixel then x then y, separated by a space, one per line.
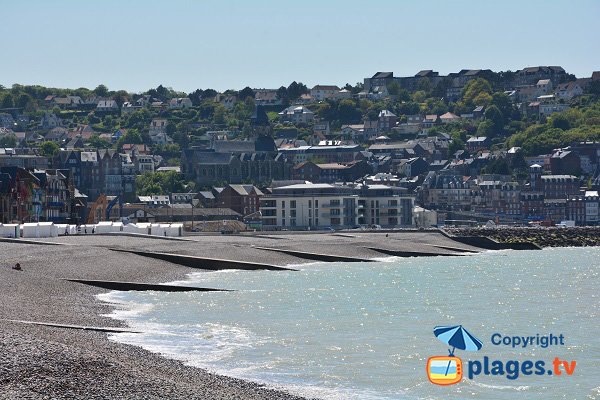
pixel 471 147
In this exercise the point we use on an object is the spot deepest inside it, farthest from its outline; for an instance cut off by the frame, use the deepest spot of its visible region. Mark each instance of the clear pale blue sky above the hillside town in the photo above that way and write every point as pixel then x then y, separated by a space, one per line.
pixel 136 45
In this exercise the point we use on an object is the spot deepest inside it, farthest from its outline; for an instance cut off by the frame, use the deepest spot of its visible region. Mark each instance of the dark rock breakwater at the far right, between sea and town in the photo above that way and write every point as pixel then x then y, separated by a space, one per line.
pixel 523 238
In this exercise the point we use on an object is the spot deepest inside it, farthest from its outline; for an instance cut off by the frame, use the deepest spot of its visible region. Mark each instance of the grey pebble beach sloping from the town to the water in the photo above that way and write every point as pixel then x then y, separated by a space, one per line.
pixel 60 362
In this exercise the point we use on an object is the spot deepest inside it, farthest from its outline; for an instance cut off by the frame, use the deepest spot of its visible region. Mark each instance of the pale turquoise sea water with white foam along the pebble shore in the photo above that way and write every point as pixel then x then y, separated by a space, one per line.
pixel 365 330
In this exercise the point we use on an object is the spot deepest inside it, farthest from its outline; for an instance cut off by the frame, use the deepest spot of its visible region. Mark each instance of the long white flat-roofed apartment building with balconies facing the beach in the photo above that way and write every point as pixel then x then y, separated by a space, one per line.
pixel 322 206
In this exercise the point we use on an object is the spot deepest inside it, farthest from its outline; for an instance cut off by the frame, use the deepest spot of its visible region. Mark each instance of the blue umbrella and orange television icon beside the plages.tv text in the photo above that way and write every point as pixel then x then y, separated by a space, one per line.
pixel 448 370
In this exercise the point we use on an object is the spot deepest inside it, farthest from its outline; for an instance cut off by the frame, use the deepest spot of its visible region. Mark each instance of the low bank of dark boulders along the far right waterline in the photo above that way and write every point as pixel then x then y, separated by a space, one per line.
pixel 543 237
